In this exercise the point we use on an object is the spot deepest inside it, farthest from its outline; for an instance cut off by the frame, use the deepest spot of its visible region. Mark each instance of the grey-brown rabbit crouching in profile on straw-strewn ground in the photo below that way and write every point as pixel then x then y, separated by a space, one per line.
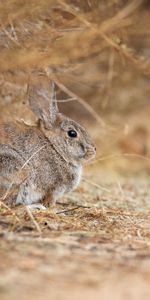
pixel 42 161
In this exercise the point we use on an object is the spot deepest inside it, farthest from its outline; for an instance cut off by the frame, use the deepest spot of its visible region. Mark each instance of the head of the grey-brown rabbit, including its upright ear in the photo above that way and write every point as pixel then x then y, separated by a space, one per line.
pixel 68 138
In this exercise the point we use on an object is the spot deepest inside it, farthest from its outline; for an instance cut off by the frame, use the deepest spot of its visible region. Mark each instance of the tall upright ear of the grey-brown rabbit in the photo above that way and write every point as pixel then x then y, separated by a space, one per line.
pixel 43 103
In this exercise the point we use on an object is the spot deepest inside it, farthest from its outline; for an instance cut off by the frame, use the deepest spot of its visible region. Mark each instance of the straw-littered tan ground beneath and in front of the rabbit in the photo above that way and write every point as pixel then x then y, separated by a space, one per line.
pixel 96 246
